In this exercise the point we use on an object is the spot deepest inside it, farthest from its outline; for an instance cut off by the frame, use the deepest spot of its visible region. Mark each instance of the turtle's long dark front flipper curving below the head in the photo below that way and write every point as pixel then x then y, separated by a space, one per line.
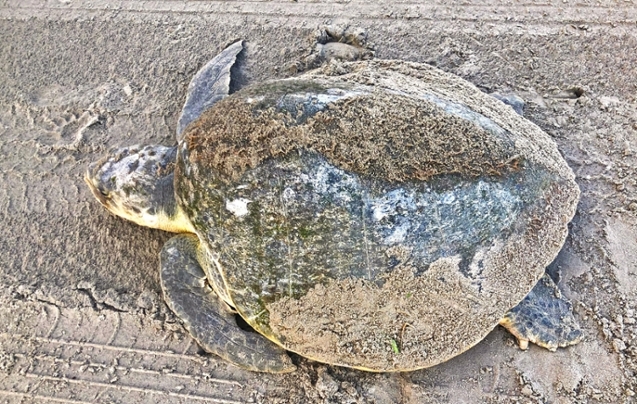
pixel 209 320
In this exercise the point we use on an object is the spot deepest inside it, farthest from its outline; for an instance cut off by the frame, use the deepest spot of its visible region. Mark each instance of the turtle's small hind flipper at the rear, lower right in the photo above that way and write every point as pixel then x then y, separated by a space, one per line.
pixel 544 318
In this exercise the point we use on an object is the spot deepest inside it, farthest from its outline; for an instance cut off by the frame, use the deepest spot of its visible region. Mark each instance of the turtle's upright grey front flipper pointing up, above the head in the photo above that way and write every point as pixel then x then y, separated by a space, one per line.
pixel 210 84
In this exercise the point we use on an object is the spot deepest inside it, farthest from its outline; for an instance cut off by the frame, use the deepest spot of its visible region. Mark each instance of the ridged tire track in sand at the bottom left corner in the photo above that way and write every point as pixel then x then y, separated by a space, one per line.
pixel 53 354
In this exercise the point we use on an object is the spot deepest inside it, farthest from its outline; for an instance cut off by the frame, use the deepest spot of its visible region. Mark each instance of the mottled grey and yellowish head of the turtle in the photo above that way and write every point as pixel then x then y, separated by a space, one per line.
pixel 136 183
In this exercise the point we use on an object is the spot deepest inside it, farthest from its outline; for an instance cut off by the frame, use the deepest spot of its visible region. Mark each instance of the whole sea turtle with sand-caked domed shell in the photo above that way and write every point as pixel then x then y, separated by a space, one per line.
pixel 380 215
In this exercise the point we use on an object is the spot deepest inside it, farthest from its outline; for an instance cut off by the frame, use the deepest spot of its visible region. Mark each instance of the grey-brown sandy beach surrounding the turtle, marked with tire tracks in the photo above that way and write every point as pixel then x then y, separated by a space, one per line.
pixel 82 319
